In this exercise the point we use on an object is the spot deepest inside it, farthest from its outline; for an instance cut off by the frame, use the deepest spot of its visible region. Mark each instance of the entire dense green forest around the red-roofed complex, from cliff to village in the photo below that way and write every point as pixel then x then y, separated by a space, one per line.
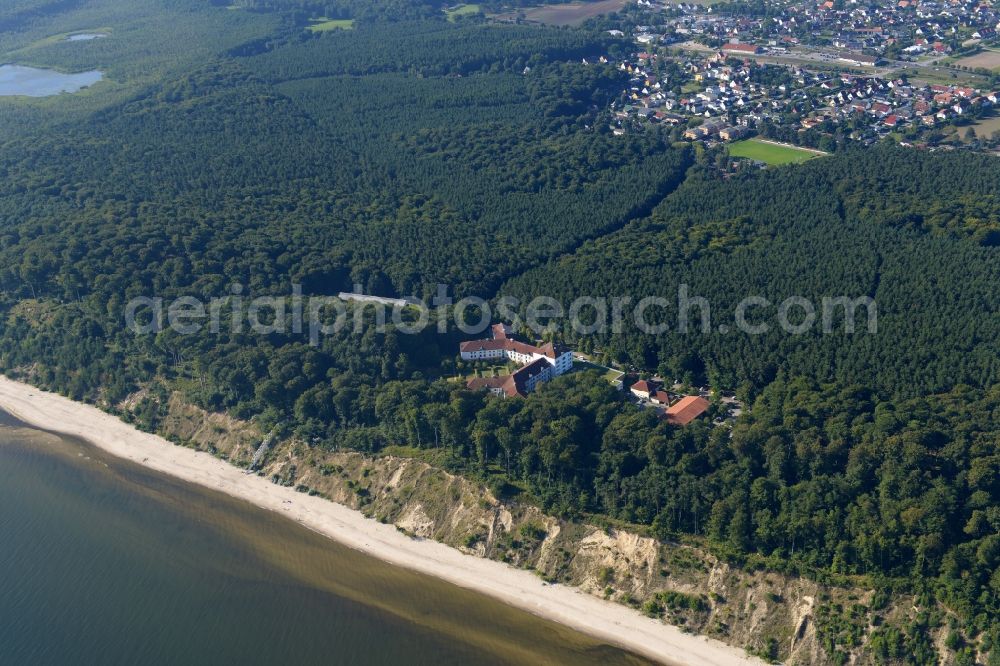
pixel 409 151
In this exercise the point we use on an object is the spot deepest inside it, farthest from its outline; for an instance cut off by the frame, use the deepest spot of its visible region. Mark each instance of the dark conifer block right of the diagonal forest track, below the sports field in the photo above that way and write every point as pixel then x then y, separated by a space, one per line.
pixel 916 232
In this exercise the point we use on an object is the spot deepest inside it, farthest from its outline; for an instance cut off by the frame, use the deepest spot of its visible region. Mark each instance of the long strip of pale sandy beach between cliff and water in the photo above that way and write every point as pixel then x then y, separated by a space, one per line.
pixel 608 621
